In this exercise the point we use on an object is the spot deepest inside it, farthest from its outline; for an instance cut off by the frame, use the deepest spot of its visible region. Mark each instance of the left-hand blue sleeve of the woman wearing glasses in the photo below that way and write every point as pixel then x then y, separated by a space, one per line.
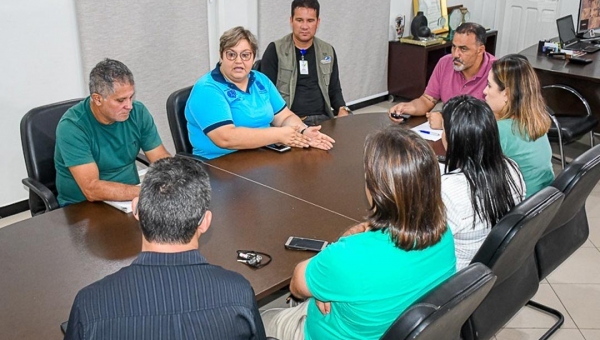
pixel 208 107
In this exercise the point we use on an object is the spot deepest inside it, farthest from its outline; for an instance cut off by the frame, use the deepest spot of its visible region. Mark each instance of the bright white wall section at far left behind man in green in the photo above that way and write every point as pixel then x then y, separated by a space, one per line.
pixel 40 64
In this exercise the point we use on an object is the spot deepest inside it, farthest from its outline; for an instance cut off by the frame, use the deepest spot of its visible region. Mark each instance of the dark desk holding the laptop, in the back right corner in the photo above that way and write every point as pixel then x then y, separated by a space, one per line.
pixel 583 78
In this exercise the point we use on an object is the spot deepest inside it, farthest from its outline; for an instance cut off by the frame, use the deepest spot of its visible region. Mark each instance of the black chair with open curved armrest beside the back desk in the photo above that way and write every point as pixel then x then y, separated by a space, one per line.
pixel 567 128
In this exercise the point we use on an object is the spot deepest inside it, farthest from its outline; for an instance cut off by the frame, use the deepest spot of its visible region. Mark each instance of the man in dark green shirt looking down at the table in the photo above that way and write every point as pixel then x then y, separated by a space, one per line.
pixel 98 139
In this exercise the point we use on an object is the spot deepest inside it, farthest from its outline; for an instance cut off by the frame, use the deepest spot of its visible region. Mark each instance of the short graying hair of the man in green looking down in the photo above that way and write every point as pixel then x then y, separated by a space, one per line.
pixel 106 73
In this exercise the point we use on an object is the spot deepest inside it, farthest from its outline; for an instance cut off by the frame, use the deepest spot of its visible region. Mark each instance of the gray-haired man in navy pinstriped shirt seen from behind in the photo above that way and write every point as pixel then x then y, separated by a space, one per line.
pixel 169 291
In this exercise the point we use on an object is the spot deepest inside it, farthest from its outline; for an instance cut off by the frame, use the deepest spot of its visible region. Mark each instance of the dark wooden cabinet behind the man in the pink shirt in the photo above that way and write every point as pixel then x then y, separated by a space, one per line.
pixel 410 66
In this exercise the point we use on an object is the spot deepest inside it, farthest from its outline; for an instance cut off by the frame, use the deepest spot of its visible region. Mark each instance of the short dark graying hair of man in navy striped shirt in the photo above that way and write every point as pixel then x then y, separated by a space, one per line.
pixel 174 197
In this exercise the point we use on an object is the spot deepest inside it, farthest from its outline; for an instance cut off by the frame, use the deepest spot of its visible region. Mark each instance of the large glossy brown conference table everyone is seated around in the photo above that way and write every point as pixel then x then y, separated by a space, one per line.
pixel 260 198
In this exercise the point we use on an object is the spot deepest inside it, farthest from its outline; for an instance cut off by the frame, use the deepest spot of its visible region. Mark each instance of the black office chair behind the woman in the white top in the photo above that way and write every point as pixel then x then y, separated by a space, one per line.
pixel 509 252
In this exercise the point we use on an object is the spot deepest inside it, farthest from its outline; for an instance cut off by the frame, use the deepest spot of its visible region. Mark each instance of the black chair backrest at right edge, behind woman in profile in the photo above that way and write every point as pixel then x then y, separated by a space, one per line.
pixel 569 229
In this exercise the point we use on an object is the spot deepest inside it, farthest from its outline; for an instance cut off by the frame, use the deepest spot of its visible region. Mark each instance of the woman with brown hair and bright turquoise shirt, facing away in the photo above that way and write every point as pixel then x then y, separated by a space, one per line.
pixel 356 287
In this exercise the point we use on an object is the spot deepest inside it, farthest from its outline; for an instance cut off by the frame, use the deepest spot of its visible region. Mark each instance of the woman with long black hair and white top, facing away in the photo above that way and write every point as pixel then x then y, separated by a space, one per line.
pixel 480 184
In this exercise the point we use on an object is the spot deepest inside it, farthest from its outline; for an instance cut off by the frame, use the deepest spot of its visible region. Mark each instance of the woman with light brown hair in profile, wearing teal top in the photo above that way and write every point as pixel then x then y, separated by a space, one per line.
pixel 513 92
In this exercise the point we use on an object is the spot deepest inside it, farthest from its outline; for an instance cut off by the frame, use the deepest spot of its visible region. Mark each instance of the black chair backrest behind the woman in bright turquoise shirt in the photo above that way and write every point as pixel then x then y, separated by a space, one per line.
pixel 440 313
